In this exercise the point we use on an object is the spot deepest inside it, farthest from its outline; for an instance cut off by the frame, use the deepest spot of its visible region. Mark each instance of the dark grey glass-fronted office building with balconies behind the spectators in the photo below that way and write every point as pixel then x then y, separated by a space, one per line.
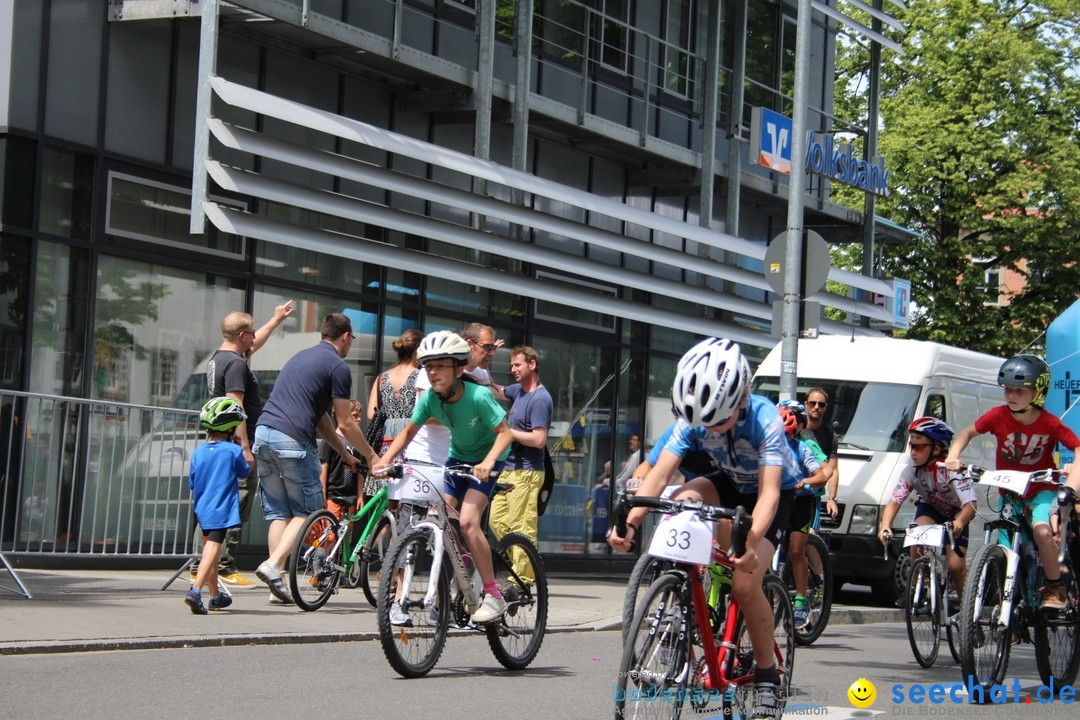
pixel 106 295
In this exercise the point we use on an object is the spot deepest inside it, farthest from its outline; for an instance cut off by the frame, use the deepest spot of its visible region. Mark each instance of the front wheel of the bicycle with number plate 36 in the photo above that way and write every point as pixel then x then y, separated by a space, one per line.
pixel 413 636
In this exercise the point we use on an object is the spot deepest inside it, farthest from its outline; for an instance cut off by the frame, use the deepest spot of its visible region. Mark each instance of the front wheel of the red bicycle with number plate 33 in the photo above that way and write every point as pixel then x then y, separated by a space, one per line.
pixel 656 656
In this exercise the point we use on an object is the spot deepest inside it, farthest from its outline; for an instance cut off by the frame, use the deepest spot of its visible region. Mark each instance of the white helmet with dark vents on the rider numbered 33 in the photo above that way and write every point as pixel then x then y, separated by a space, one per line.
pixel 711 382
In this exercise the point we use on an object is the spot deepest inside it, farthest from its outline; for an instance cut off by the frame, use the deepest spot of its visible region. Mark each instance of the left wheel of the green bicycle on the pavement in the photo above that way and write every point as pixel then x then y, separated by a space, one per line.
pixel 316 565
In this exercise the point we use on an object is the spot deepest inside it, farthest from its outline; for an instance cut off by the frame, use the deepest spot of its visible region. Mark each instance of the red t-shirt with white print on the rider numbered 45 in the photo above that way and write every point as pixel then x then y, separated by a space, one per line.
pixel 1027 449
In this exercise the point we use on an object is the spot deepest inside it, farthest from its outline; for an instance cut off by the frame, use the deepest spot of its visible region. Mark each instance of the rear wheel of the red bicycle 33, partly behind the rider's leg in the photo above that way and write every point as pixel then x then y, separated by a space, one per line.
pixel 741 701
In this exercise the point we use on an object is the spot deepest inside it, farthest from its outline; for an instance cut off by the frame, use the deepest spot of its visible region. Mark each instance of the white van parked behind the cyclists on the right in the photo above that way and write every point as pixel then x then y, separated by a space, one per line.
pixel 876 387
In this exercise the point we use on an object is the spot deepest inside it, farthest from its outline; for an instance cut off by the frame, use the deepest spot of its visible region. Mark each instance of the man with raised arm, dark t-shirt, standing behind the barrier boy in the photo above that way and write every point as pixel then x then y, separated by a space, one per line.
pixel 228 375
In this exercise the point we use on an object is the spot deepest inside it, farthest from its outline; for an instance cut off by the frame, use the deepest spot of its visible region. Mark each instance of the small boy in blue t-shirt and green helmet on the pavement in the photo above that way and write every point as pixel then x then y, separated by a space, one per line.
pixel 217 468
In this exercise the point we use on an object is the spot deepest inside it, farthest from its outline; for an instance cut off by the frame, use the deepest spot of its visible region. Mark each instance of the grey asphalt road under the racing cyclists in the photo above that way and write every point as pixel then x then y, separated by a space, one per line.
pixel 571 680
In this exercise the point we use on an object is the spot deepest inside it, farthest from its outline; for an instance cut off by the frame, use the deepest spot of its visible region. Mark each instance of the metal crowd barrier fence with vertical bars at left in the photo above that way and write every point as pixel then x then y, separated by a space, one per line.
pixel 93 478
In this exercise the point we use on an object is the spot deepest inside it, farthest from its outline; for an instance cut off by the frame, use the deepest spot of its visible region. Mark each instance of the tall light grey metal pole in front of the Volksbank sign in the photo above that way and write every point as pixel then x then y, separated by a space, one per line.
pixel 793 264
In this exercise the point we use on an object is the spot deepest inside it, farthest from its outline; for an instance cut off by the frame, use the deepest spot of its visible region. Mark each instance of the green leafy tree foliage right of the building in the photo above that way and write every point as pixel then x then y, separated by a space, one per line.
pixel 980 127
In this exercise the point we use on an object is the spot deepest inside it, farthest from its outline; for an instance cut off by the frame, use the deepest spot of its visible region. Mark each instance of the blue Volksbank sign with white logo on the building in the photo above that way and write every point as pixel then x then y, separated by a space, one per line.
pixel 771 143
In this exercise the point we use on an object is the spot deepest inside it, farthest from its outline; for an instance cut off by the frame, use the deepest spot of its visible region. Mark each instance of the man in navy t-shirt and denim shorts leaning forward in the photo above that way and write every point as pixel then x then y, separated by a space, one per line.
pixel 310 384
